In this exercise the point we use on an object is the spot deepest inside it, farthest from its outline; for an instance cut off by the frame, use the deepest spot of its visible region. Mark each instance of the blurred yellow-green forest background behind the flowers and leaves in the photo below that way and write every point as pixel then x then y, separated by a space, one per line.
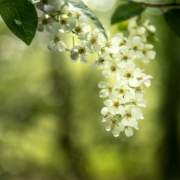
pixel 50 121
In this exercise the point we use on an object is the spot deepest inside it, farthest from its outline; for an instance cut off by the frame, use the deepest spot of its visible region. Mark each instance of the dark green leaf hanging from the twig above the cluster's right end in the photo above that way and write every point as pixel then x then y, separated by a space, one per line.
pixel 126 11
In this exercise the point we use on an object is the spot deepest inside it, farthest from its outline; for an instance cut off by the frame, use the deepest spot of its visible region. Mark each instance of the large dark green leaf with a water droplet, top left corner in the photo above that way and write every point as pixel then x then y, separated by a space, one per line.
pixel 20 17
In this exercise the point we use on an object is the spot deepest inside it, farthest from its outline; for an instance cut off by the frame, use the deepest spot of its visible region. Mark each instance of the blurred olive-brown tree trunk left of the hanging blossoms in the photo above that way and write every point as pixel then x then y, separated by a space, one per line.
pixel 63 89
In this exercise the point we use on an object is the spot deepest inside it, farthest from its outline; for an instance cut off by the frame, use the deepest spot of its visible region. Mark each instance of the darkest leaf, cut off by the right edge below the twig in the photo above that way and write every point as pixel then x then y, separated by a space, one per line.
pixel 173 21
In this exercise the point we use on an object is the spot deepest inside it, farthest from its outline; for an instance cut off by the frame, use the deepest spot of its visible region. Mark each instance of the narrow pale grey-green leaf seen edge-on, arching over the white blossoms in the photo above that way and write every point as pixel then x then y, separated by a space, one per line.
pixel 89 13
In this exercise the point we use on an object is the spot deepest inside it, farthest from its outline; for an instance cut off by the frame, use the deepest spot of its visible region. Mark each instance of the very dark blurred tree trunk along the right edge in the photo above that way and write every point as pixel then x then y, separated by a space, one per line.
pixel 169 149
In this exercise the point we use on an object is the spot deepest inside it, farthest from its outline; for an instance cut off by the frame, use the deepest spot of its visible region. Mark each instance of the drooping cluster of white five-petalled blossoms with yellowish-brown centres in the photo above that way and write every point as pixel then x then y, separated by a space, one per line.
pixel 115 56
